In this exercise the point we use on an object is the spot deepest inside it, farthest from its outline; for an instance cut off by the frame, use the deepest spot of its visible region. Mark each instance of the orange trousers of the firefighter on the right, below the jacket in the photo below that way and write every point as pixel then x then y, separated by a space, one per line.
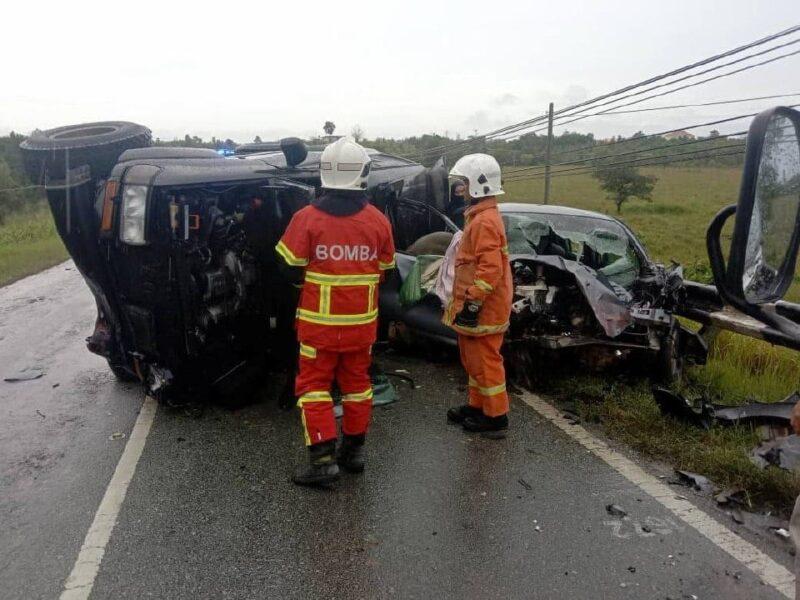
pixel 483 362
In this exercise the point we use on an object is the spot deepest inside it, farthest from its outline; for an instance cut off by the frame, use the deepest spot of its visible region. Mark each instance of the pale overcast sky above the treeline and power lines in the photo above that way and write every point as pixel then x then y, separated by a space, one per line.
pixel 238 69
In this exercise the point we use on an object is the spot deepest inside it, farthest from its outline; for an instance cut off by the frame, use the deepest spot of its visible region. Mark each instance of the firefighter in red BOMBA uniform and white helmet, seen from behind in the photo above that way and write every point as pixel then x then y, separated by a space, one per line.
pixel 344 244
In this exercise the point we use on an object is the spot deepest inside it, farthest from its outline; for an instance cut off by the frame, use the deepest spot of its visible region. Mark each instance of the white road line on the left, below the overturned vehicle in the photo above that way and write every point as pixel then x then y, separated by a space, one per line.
pixel 79 584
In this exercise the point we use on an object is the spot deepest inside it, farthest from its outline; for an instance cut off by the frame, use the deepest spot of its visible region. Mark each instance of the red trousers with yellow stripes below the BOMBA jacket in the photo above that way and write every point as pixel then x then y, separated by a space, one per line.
pixel 318 368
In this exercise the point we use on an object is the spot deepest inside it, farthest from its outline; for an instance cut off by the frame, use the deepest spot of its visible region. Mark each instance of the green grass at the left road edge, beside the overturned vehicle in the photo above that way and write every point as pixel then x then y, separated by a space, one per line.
pixel 29 243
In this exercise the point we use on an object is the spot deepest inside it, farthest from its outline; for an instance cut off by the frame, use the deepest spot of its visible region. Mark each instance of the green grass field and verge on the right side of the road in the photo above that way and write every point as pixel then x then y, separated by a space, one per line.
pixel 672 227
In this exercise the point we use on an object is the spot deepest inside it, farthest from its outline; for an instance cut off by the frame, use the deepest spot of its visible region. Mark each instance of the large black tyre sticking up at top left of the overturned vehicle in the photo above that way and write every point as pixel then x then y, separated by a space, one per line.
pixel 98 145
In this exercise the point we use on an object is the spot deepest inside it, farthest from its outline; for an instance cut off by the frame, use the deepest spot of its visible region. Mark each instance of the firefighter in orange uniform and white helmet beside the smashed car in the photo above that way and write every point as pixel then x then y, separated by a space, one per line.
pixel 481 305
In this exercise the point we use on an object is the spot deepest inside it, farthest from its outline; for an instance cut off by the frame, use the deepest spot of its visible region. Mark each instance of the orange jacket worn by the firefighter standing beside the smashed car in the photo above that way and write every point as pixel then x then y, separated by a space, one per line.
pixel 483 273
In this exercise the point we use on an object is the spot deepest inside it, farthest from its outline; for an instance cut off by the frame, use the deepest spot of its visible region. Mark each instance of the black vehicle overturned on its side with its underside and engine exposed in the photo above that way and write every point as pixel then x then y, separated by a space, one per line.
pixel 177 247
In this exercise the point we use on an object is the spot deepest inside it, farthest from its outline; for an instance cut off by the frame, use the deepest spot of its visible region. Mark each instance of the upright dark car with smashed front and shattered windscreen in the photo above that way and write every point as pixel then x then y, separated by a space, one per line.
pixel 583 284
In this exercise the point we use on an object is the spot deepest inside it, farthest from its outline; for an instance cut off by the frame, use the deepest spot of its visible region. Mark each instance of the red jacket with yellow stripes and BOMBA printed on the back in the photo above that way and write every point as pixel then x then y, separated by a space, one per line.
pixel 344 257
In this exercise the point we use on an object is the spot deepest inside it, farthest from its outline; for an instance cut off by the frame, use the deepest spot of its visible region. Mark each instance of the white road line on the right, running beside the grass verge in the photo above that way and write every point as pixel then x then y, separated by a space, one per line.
pixel 769 571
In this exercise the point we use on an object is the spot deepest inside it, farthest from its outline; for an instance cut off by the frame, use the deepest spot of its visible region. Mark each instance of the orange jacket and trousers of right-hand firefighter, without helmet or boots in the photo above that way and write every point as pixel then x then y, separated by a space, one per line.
pixel 483 275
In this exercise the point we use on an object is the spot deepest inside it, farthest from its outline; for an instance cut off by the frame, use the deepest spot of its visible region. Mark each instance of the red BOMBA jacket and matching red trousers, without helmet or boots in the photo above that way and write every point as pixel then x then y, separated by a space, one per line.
pixel 343 257
